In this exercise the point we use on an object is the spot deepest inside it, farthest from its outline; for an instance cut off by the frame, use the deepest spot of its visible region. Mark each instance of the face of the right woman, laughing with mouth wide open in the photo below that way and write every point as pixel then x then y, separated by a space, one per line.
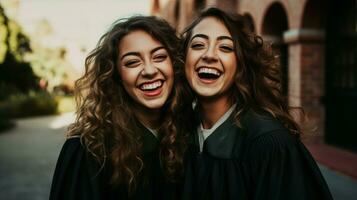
pixel 211 62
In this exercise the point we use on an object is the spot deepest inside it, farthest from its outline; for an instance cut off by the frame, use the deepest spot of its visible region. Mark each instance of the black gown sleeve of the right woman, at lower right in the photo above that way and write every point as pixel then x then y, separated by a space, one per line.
pixel 280 167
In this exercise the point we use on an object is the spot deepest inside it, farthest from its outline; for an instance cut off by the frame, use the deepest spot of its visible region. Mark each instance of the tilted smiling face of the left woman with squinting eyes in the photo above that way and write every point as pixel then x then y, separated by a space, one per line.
pixel 145 69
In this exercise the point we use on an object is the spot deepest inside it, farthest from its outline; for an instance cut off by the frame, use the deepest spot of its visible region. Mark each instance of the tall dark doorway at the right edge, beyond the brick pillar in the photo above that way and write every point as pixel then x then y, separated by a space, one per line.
pixel 341 74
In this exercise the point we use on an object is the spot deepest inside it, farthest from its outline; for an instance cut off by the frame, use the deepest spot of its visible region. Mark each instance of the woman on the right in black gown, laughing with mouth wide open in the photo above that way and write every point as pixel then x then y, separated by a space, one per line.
pixel 246 144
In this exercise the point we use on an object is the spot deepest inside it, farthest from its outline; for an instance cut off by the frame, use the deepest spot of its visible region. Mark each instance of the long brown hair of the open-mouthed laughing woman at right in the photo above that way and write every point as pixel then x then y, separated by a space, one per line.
pixel 257 84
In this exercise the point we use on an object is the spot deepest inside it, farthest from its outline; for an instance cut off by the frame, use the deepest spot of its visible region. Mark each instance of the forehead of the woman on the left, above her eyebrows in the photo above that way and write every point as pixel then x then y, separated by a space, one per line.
pixel 138 41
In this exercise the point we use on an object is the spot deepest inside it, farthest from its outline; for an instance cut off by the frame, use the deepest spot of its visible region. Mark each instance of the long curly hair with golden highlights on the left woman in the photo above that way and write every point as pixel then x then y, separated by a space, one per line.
pixel 105 119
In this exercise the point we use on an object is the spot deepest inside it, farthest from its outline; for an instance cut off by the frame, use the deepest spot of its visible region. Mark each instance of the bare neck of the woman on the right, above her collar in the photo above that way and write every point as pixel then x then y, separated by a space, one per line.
pixel 212 110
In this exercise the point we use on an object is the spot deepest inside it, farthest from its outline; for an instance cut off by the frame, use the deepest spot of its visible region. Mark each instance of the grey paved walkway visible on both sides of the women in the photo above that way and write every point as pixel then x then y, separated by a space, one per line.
pixel 28 155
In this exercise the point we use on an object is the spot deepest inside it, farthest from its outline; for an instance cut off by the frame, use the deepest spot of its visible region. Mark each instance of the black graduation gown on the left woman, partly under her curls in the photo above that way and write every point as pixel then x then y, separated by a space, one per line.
pixel 76 175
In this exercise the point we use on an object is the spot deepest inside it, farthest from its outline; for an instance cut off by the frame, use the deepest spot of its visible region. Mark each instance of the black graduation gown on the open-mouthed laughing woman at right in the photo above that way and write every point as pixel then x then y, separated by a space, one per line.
pixel 261 161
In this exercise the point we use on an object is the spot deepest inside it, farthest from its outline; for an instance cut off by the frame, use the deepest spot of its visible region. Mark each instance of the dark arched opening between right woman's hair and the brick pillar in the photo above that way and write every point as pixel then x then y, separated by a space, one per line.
pixel 274 25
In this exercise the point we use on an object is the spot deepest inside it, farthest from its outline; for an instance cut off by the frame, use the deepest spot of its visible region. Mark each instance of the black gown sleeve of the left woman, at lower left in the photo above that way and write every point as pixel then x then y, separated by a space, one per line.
pixel 75 176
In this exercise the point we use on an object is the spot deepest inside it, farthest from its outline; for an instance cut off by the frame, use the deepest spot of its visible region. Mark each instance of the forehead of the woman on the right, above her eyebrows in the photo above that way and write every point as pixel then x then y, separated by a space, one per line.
pixel 212 27
